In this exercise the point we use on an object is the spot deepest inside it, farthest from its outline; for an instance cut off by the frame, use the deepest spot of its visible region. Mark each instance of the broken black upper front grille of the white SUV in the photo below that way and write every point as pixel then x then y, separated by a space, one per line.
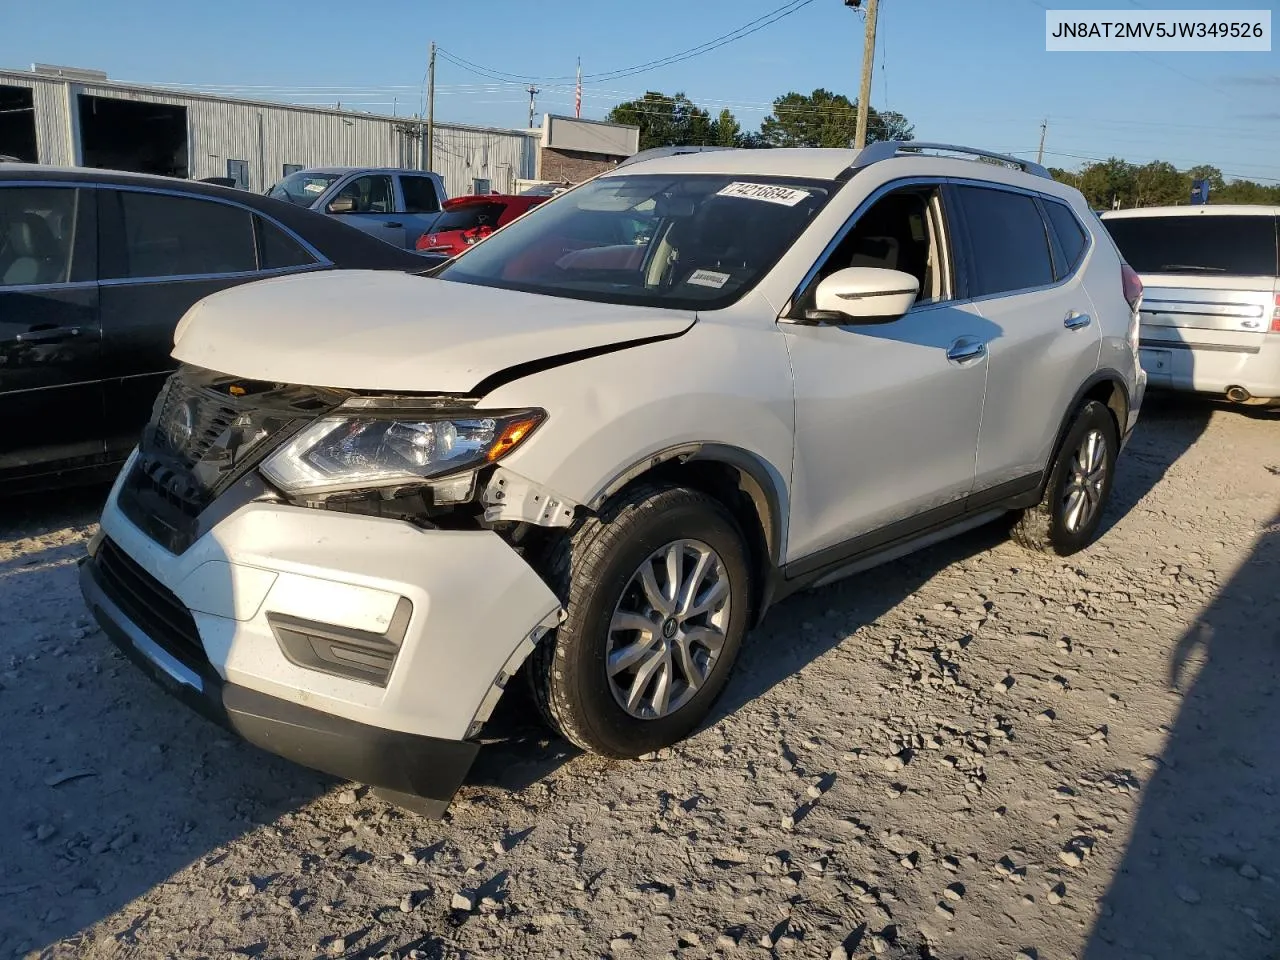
pixel 207 432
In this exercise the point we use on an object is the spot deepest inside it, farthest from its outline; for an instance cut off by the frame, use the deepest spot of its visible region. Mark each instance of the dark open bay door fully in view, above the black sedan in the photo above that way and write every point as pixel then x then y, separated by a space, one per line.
pixel 127 135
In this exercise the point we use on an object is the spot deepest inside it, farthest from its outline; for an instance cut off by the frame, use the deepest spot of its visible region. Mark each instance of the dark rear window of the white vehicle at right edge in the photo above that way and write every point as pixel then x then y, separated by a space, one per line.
pixel 1205 245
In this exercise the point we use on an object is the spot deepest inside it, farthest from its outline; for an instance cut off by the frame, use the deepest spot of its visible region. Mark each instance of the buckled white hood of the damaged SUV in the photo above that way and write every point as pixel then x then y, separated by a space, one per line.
pixel 383 331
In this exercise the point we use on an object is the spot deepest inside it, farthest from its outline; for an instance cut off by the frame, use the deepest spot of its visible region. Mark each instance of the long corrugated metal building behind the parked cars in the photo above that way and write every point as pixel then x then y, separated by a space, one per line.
pixel 268 136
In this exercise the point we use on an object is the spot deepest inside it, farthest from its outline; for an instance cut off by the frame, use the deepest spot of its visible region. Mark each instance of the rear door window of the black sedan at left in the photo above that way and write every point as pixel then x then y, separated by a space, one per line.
pixel 168 236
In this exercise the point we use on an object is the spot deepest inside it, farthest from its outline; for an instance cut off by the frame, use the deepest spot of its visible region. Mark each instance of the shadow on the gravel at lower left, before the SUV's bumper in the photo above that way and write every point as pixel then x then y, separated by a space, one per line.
pixel 111 787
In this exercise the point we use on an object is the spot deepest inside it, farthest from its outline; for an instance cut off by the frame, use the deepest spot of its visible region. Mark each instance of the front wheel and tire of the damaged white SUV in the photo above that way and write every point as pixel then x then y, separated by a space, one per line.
pixel 657 596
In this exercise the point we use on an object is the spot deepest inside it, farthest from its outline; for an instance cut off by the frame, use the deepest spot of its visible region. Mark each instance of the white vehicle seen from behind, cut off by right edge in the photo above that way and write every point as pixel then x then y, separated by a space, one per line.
pixel 1212 308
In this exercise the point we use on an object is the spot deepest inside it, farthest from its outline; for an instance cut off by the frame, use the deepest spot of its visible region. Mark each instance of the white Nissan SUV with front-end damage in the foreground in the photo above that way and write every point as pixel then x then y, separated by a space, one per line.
pixel 597 447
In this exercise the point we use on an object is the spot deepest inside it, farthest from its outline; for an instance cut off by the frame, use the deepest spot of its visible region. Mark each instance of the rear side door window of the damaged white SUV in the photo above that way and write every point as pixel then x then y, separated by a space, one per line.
pixel 1008 241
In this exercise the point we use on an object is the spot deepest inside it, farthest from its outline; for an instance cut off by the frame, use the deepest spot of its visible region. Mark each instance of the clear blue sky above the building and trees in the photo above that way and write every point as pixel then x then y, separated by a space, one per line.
pixel 973 74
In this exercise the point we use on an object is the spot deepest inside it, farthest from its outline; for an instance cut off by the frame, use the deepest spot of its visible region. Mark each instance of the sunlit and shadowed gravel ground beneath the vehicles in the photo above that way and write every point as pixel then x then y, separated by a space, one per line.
pixel 971 753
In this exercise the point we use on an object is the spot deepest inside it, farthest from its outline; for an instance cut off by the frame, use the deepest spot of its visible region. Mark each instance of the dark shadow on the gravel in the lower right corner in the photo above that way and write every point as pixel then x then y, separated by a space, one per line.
pixel 1201 875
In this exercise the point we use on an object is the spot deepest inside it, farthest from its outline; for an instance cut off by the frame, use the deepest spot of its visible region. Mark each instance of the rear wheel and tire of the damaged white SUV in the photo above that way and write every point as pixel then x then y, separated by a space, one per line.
pixel 1078 490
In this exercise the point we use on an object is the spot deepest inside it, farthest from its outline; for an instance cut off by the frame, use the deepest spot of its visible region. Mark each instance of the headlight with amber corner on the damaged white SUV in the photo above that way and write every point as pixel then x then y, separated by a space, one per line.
pixel 345 454
